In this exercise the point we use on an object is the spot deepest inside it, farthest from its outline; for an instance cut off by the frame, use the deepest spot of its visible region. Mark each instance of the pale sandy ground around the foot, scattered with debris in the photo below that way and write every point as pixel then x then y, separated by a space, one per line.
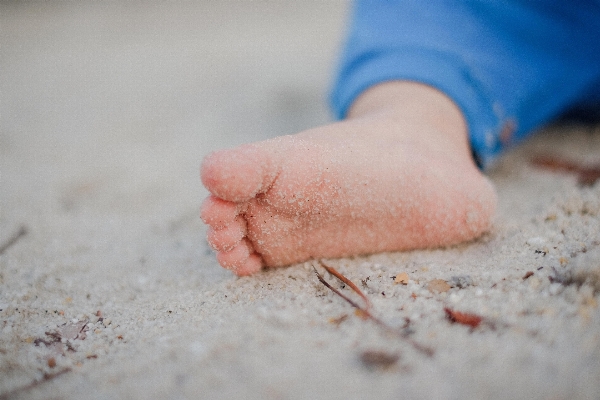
pixel 112 292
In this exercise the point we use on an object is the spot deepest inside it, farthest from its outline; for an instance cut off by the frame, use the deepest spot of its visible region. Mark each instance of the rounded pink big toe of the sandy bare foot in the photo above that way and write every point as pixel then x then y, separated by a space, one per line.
pixel 238 174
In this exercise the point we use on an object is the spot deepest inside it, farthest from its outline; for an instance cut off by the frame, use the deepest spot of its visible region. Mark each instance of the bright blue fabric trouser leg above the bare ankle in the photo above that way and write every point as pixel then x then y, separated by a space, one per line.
pixel 509 65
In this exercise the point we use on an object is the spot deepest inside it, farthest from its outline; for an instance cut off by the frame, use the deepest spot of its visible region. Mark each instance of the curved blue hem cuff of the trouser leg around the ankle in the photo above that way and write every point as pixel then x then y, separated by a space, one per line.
pixel 446 72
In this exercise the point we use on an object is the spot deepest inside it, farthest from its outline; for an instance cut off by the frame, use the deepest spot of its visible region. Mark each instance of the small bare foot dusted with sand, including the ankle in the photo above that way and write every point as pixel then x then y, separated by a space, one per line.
pixel 396 175
